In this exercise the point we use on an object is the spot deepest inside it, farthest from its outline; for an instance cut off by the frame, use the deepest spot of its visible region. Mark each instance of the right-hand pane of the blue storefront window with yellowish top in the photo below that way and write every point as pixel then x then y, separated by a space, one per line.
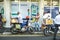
pixel 55 8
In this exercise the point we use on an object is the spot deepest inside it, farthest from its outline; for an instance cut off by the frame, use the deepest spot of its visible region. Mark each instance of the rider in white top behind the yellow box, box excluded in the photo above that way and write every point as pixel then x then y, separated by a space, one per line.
pixel 47 16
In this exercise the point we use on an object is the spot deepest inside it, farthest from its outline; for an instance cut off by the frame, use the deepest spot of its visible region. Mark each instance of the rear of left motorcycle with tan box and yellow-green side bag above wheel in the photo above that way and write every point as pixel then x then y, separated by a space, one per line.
pixel 15 26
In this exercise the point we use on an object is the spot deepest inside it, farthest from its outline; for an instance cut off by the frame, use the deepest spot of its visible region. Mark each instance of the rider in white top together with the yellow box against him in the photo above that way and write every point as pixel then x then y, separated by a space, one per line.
pixel 47 20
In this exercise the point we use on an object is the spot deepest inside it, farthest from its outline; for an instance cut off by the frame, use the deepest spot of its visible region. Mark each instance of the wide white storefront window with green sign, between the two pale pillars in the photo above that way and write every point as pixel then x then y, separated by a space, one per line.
pixel 22 6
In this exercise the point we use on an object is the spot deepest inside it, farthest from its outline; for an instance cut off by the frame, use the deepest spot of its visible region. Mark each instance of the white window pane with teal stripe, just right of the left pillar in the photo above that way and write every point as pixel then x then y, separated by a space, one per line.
pixel 14 9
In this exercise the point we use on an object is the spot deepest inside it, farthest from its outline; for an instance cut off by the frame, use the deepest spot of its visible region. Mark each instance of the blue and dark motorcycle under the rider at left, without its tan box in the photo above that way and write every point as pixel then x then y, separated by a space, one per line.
pixel 16 28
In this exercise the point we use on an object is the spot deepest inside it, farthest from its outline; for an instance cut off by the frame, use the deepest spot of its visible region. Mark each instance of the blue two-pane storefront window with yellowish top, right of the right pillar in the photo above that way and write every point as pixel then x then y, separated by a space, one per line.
pixel 52 6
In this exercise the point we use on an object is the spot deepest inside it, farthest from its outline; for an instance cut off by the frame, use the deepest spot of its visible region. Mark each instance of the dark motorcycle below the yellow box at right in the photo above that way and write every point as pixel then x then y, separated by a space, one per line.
pixel 49 30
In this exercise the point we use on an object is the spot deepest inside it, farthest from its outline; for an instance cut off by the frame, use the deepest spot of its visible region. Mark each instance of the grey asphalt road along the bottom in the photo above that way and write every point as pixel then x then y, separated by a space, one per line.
pixel 29 38
